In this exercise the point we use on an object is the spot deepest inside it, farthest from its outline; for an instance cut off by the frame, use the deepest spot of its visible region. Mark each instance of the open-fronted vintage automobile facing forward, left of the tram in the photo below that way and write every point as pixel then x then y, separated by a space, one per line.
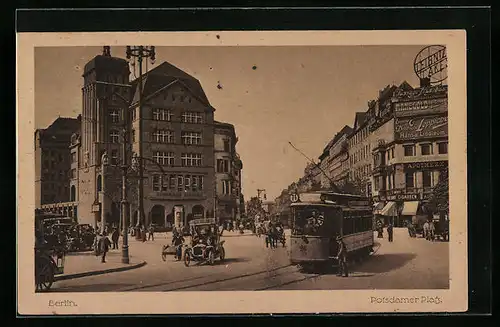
pixel 206 245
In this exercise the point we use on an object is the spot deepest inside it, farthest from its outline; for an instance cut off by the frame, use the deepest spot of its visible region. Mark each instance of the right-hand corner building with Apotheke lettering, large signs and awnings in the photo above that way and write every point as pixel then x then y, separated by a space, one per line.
pixel 411 151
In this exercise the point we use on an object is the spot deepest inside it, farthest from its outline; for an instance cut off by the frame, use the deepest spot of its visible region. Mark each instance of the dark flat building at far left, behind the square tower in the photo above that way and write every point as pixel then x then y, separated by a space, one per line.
pixel 52 161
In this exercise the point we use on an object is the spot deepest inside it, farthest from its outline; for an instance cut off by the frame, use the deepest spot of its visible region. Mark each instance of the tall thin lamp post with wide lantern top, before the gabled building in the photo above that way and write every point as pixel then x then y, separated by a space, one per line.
pixel 139 53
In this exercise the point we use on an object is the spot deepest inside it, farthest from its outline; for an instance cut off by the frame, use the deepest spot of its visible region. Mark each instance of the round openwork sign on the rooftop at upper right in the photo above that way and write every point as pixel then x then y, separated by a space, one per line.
pixel 431 62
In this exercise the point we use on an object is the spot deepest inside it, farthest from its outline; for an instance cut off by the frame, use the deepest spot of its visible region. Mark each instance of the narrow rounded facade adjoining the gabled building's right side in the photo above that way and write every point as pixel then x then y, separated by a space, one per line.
pixel 228 169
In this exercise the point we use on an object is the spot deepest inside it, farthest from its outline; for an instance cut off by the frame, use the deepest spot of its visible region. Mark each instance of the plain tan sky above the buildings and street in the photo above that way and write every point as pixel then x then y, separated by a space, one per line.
pixel 299 94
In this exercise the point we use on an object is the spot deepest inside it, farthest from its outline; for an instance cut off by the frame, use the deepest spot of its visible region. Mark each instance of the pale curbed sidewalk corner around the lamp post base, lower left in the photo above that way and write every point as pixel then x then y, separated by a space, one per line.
pixel 85 264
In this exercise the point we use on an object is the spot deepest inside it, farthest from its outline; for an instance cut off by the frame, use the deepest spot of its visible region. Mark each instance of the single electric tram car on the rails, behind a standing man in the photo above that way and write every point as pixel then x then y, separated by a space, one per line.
pixel 319 217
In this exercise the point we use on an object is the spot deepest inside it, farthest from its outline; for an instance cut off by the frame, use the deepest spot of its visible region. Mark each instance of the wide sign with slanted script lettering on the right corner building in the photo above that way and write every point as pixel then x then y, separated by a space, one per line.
pixel 417 128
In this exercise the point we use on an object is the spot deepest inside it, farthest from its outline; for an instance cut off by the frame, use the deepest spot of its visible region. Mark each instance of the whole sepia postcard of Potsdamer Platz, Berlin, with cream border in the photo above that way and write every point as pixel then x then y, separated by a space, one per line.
pixel 241 172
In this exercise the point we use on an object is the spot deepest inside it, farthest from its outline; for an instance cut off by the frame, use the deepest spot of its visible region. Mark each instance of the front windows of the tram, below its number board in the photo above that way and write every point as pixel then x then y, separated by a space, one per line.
pixel 309 221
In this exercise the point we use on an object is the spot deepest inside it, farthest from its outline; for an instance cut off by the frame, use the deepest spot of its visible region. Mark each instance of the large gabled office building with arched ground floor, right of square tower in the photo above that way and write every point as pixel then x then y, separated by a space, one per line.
pixel 178 135
